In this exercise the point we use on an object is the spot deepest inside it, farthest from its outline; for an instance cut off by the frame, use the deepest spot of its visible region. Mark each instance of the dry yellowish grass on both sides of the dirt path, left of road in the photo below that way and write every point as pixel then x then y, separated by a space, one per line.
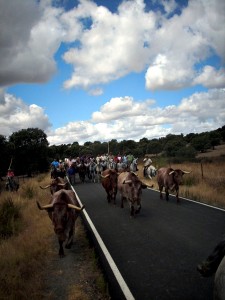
pixel 24 254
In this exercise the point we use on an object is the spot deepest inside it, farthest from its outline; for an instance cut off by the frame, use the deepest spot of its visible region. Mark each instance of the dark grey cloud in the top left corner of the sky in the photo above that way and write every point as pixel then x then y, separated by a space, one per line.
pixel 28 42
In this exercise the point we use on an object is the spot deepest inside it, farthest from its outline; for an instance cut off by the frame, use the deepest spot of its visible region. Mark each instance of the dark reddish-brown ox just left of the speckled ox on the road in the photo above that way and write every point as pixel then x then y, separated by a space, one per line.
pixel 109 182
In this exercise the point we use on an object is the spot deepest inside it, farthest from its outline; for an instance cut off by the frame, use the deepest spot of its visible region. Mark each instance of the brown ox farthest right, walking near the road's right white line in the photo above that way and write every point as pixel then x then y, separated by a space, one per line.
pixel 170 179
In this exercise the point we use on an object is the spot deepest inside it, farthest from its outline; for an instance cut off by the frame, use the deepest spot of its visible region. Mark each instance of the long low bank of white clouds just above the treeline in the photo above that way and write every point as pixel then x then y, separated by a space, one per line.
pixel 121 119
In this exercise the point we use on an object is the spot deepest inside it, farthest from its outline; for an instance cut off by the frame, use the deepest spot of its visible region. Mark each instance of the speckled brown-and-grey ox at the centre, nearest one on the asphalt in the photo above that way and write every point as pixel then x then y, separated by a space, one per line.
pixel 130 188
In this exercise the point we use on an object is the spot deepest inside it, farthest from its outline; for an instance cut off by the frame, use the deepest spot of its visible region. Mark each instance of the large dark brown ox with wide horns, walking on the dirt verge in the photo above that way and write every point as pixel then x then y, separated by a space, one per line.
pixel 63 210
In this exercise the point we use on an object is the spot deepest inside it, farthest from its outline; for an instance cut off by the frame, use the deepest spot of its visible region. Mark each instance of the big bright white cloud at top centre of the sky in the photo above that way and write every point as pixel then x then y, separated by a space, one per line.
pixel 113 46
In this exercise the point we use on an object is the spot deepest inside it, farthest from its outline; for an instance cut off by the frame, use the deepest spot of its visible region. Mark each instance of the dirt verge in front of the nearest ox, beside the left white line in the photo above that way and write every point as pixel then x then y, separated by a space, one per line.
pixel 75 276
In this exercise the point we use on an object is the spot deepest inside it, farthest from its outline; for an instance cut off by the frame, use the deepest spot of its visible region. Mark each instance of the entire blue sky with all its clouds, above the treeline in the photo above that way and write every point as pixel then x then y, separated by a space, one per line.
pixel 101 70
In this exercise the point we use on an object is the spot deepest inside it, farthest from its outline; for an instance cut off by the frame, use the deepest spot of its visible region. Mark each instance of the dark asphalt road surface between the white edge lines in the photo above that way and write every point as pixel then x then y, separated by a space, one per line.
pixel 157 252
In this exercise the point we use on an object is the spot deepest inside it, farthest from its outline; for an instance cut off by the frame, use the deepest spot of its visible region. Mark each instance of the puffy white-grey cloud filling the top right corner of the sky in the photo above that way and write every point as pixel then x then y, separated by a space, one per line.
pixel 183 42
